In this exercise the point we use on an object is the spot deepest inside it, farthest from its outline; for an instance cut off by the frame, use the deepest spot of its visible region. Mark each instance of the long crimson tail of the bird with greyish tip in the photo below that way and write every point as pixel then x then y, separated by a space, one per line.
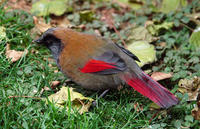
pixel 151 89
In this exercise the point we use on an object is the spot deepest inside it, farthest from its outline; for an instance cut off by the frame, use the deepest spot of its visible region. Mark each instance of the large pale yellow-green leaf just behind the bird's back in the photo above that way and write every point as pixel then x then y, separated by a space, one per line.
pixel 144 51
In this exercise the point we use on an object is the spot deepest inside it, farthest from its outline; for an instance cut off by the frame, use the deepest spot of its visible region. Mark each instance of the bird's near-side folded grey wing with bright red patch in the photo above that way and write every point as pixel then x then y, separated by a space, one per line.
pixel 105 64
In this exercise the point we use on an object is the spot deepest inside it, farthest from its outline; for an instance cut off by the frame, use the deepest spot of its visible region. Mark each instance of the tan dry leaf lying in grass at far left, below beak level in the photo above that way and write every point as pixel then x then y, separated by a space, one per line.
pixel 13 54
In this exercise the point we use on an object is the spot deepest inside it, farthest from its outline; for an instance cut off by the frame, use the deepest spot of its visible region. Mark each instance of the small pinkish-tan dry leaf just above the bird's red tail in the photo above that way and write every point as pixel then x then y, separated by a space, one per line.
pixel 160 76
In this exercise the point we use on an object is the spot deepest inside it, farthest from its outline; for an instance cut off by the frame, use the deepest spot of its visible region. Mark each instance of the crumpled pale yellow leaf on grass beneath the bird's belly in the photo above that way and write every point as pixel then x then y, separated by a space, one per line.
pixel 78 101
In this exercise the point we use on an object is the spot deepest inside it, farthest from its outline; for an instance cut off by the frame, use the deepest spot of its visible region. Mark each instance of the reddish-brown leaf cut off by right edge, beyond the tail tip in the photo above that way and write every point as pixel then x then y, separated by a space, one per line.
pixel 196 110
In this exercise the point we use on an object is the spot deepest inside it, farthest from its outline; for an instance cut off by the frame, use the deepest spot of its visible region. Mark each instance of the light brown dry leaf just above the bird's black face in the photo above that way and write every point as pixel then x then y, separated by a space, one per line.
pixel 40 24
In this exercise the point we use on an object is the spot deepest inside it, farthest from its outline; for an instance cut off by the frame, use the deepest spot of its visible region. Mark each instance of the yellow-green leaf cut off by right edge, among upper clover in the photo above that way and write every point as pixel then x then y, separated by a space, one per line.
pixel 195 38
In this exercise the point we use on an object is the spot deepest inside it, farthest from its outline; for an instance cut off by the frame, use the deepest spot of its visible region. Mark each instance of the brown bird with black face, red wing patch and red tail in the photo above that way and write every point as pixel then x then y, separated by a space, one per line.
pixel 97 63
